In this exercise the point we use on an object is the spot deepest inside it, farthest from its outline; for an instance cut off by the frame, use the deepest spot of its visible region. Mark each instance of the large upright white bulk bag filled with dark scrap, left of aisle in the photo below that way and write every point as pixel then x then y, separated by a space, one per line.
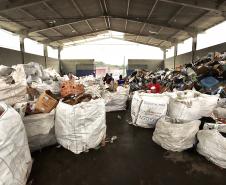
pixel 82 126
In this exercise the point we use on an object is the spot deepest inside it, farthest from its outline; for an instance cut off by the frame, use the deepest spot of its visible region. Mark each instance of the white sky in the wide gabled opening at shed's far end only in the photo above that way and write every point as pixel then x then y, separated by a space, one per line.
pixel 112 51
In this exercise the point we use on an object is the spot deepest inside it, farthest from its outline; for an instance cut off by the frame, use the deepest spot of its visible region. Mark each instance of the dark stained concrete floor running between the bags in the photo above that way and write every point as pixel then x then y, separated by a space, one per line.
pixel 134 159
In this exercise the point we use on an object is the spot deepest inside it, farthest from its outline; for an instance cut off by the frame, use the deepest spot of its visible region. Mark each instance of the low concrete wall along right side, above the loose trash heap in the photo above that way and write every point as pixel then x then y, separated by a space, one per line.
pixel 187 57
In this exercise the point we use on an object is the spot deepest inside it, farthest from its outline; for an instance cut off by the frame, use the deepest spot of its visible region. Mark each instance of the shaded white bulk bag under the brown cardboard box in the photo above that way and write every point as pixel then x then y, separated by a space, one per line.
pixel 40 130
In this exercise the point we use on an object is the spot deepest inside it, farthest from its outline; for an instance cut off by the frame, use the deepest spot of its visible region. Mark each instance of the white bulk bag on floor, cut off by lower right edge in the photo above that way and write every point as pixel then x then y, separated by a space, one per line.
pixel 212 145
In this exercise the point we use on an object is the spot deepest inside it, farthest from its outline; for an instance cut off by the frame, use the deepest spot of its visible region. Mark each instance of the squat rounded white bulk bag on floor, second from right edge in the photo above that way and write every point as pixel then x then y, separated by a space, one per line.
pixel 175 135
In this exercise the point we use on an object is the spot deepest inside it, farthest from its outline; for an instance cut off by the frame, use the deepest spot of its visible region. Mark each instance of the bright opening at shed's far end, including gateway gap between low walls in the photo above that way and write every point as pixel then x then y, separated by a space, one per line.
pixel 110 52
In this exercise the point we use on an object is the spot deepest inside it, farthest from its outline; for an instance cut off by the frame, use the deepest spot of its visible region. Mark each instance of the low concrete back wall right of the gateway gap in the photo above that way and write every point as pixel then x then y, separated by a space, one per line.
pixel 148 64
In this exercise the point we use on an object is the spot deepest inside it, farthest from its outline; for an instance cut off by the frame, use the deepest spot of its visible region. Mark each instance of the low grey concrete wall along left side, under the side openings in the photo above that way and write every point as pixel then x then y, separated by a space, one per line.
pixel 11 57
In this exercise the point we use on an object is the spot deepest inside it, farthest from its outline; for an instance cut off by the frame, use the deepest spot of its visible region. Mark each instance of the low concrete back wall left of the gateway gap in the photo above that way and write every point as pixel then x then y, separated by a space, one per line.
pixel 76 64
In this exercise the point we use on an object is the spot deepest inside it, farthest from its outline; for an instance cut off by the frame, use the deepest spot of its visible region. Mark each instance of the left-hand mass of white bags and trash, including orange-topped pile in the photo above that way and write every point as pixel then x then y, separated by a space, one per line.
pixel 40 108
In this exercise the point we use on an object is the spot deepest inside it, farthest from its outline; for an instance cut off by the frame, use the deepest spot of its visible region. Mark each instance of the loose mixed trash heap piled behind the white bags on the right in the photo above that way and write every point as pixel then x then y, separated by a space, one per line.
pixel 206 75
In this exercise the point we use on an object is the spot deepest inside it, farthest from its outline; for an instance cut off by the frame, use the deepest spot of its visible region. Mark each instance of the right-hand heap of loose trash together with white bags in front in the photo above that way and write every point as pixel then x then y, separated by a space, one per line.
pixel 185 106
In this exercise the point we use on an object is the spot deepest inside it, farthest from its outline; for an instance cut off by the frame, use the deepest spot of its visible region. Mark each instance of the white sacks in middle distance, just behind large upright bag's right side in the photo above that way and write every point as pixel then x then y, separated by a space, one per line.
pixel 116 101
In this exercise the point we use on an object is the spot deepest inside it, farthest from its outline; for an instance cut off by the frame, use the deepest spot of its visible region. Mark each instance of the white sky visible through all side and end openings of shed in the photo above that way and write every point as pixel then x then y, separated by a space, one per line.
pixel 114 51
